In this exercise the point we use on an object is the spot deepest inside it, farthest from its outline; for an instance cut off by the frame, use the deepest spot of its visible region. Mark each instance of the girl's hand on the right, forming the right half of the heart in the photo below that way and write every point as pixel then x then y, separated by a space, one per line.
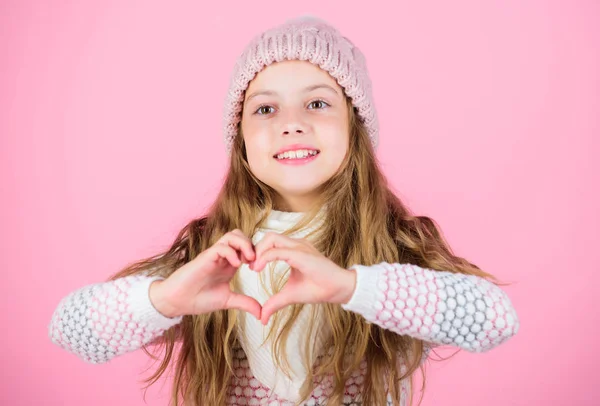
pixel 313 277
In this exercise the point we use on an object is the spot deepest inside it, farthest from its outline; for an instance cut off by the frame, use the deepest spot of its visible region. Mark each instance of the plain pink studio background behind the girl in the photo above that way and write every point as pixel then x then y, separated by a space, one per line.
pixel 110 117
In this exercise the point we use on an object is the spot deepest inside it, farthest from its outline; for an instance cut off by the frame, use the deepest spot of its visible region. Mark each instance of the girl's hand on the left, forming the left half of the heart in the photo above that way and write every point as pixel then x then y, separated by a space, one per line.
pixel 202 285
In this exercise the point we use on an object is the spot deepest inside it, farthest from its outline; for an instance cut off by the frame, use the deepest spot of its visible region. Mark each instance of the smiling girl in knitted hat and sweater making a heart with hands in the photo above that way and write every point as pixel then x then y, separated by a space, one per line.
pixel 308 282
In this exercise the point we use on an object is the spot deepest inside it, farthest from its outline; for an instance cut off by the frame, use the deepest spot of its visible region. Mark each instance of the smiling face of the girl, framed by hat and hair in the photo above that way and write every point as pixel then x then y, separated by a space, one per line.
pixel 295 102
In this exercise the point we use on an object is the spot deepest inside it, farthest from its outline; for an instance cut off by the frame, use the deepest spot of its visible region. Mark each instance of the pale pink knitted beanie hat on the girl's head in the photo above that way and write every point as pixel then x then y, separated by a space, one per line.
pixel 309 39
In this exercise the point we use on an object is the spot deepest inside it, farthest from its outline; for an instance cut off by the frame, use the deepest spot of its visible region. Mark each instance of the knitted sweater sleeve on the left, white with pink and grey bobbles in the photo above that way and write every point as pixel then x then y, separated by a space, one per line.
pixel 101 321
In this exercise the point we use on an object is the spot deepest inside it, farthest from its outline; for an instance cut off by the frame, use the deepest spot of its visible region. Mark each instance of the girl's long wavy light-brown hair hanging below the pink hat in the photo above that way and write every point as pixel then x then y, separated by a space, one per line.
pixel 365 224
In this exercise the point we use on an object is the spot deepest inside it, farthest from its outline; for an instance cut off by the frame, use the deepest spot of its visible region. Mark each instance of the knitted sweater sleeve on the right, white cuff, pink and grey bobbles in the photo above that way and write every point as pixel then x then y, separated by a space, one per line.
pixel 438 307
